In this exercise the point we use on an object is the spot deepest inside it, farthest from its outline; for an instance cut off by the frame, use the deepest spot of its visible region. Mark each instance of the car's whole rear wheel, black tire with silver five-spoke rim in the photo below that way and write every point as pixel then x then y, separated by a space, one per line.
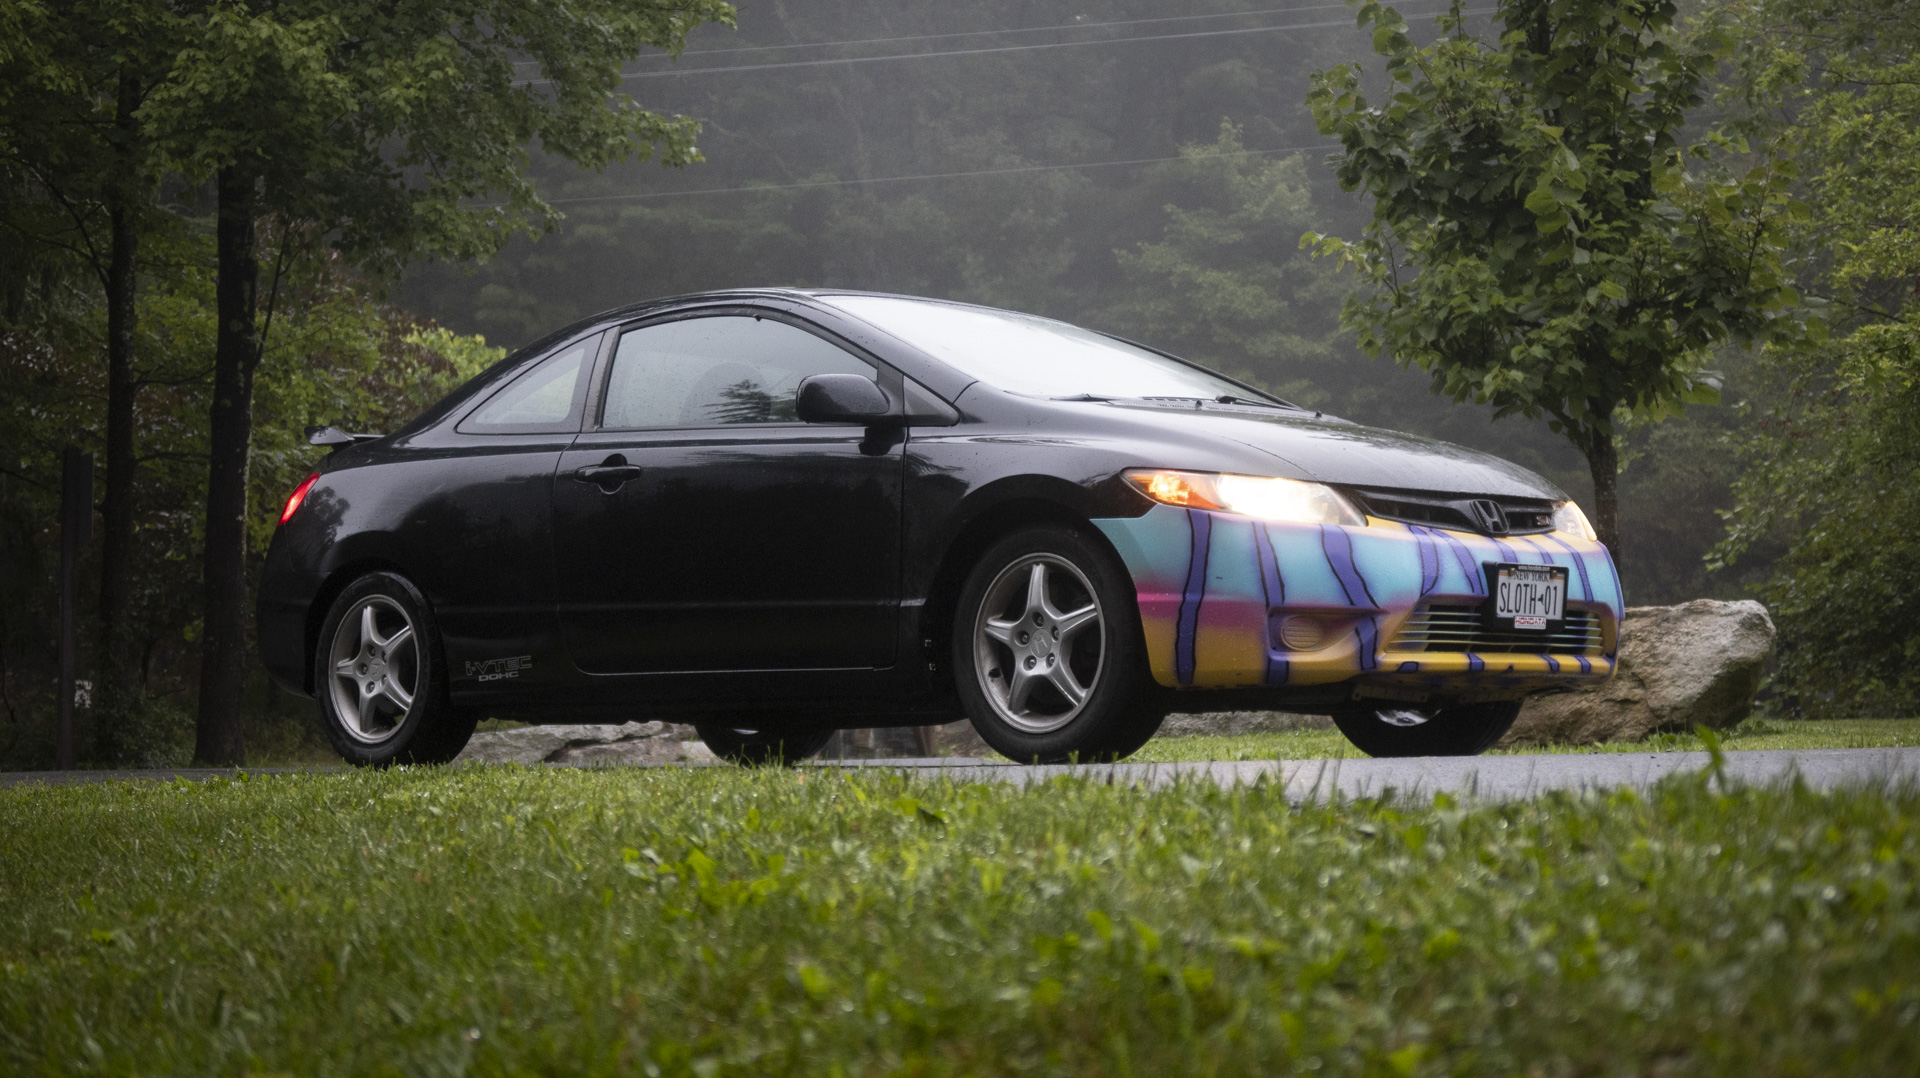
pixel 379 679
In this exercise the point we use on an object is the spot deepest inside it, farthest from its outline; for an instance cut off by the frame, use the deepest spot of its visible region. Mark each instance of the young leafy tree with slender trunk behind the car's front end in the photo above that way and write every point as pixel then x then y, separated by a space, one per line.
pixel 1541 239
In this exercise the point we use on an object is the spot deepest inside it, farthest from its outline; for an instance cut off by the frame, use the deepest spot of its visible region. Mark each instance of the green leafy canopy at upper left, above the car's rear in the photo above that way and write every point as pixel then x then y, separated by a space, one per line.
pixel 383 124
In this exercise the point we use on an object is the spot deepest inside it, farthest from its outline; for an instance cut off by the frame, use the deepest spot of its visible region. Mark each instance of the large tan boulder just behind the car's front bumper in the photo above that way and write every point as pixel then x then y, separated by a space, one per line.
pixel 1681 668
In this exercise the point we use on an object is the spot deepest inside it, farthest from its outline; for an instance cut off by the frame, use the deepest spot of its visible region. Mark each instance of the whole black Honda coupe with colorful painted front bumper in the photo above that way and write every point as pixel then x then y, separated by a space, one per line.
pixel 775 514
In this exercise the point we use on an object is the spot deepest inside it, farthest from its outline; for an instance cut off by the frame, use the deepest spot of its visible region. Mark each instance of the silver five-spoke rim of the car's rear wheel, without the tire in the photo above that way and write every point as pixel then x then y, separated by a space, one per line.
pixel 377 668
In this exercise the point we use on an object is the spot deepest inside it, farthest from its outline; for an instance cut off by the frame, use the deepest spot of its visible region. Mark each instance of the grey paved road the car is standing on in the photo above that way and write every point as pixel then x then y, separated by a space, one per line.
pixel 1493 777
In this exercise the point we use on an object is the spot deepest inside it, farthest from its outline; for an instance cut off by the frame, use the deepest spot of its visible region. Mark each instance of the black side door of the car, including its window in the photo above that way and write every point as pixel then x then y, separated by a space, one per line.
pixel 700 527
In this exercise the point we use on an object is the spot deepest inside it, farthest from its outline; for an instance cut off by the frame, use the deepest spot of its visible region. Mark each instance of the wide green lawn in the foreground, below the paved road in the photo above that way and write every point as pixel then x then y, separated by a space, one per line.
pixel 723 921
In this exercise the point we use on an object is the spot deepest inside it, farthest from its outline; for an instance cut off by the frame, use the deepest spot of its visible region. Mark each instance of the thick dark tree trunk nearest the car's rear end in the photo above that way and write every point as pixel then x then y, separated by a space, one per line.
pixel 224 652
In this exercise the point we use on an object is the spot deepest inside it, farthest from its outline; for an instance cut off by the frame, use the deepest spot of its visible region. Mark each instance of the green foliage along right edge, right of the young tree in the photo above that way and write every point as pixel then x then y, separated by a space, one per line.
pixel 1833 468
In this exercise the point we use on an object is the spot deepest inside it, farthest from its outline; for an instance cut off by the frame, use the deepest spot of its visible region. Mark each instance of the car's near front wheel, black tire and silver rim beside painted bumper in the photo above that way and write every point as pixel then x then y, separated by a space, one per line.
pixel 1047 652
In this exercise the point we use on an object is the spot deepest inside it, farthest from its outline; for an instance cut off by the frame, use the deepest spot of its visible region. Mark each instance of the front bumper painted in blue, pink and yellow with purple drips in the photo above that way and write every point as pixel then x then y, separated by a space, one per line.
pixel 1232 602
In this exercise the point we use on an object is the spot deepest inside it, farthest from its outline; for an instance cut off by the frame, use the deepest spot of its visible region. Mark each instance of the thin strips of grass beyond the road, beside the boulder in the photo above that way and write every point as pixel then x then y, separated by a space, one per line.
pixel 1752 735
